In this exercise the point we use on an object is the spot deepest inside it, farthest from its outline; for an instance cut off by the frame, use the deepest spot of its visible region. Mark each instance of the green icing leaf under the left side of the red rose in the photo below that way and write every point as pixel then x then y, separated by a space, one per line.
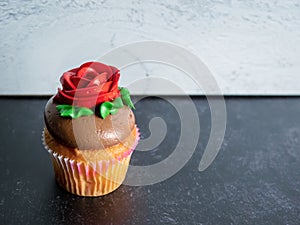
pixel 73 111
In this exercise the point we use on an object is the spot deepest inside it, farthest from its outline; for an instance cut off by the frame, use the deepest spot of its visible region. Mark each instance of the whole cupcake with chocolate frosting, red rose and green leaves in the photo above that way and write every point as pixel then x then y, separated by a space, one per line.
pixel 90 130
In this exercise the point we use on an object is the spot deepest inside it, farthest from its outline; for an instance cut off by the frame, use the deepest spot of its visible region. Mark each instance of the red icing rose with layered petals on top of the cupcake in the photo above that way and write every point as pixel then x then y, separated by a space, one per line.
pixel 89 85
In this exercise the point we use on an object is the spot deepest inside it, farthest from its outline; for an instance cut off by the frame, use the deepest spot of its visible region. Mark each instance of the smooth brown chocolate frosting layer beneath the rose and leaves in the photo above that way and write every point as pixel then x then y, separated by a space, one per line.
pixel 89 132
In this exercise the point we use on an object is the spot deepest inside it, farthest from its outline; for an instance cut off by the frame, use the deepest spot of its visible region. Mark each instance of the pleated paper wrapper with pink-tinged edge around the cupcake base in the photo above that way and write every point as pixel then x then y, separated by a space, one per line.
pixel 90 178
